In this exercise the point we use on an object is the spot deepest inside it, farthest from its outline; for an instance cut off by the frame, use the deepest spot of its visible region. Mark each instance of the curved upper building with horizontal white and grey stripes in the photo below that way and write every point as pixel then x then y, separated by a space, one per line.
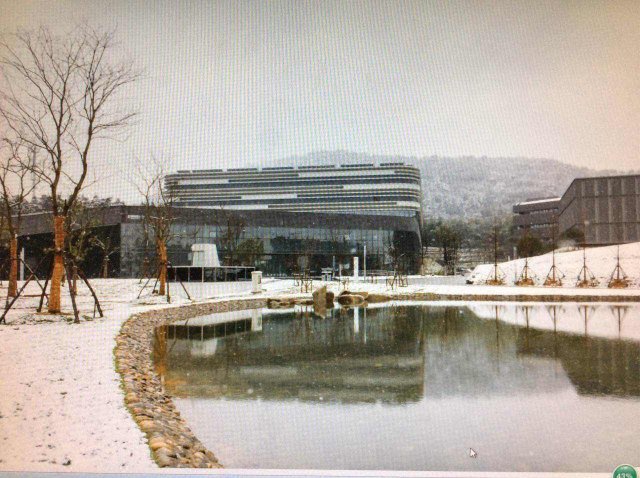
pixel 384 188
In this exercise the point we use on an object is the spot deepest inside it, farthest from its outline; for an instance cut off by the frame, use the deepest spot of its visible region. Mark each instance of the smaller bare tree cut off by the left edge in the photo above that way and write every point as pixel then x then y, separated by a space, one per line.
pixel 15 188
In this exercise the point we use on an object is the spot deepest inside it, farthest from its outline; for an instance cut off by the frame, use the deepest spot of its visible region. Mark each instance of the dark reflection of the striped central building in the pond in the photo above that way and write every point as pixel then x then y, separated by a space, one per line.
pixel 367 358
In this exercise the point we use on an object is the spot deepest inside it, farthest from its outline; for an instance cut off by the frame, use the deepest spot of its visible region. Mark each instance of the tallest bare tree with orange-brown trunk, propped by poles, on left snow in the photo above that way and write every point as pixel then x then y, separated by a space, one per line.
pixel 59 95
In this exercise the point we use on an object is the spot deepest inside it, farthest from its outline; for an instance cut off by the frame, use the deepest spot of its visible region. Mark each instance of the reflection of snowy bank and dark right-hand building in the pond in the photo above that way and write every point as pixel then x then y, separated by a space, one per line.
pixel 577 335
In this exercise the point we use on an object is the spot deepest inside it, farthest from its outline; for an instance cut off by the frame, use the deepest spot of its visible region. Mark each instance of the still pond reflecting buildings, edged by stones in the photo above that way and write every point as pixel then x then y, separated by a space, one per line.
pixel 418 386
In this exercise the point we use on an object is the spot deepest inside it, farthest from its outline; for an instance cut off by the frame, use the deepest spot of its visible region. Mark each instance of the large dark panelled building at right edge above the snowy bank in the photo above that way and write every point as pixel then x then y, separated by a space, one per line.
pixel 606 210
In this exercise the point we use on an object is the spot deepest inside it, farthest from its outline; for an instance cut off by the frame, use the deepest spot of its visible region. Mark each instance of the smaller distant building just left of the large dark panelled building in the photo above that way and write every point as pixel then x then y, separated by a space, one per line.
pixel 536 217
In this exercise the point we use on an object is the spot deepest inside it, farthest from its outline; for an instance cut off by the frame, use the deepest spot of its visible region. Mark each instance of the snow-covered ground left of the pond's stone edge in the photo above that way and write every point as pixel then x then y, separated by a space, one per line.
pixel 61 406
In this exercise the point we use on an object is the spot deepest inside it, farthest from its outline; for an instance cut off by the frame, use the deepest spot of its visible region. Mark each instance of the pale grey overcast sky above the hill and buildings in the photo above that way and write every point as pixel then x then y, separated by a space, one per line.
pixel 235 83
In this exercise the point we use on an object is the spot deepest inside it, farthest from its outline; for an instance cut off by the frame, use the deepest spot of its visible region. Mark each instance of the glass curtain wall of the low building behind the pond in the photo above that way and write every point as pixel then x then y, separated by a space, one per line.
pixel 274 250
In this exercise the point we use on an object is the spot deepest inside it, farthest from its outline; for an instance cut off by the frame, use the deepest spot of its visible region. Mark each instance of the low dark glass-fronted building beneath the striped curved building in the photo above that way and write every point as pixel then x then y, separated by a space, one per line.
pixel 276 242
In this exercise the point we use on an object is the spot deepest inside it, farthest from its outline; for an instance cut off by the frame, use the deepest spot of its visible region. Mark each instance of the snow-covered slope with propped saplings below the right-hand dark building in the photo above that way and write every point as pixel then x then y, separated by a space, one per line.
pixel 600 260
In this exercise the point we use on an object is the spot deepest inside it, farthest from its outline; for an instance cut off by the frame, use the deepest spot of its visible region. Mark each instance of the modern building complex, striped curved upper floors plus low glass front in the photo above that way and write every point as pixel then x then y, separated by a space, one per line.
pixel 280 220
